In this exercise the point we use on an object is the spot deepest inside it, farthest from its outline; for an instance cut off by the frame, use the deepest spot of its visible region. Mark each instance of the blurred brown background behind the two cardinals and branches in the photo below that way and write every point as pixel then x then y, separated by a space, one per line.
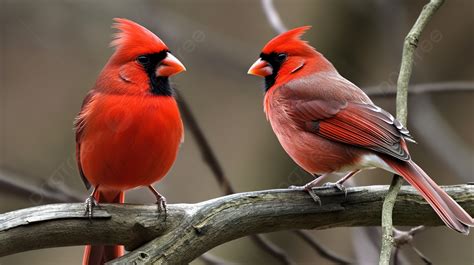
pixel 51 52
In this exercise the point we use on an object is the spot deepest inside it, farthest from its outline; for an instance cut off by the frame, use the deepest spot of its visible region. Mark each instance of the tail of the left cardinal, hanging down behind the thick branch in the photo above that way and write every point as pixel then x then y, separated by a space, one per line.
pixel 98 255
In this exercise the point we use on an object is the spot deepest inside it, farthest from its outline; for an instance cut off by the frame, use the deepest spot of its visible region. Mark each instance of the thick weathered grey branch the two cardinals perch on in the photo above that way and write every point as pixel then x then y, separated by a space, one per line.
pixel 193 229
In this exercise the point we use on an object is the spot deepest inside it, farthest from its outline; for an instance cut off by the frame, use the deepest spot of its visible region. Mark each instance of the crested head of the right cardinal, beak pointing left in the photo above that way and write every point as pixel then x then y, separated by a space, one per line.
pixel 285 57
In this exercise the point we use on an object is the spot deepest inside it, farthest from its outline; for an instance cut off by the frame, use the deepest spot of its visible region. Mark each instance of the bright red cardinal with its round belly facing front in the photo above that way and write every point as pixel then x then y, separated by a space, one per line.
pixel 129 129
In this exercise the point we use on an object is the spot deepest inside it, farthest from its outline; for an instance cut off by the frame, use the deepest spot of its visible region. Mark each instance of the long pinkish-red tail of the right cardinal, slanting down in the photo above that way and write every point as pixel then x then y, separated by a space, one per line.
pixel 447 209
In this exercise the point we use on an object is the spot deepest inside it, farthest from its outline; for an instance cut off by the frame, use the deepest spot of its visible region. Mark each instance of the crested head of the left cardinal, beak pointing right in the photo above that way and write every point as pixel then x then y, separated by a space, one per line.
pixel 141 63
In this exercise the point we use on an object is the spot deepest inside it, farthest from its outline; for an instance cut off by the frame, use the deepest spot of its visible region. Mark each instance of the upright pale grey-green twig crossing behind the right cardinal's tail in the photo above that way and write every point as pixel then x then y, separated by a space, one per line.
pixel 409 47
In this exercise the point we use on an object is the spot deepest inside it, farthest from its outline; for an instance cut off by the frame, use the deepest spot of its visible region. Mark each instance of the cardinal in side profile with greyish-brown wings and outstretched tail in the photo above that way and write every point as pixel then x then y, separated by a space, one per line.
pixel 327 124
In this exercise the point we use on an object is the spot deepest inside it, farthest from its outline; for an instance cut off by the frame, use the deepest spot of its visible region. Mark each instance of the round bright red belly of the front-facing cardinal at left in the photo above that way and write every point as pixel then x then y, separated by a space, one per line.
pixel 127 148
